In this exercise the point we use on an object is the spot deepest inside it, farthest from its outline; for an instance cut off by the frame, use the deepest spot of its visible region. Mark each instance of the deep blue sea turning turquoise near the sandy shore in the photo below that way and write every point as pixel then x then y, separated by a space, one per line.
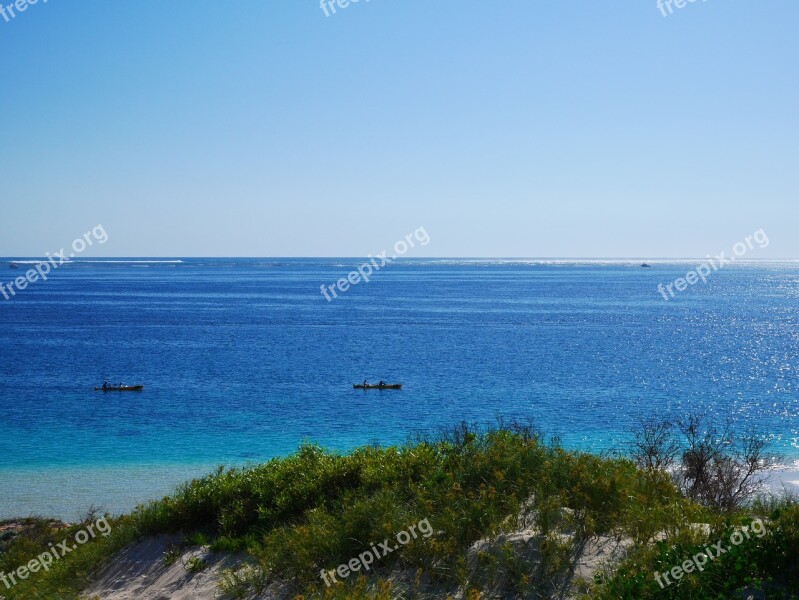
pixel 244 359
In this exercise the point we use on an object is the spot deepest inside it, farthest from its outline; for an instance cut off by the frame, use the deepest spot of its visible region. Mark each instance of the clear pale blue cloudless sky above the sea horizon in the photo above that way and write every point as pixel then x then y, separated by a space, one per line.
pixel 505 129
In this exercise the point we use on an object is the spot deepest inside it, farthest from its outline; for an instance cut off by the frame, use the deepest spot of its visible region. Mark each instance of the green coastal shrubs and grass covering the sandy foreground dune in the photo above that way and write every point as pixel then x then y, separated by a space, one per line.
pixel 511 514
